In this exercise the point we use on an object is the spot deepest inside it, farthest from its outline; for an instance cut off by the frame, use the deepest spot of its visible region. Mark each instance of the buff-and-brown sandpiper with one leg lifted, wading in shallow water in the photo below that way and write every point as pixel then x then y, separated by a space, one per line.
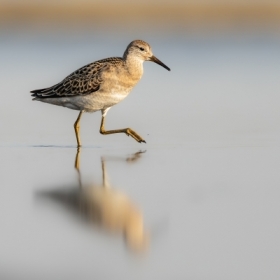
pixel 100 85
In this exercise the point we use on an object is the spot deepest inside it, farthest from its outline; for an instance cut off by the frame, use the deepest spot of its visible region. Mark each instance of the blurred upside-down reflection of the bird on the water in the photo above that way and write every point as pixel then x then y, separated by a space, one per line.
pixel 106 207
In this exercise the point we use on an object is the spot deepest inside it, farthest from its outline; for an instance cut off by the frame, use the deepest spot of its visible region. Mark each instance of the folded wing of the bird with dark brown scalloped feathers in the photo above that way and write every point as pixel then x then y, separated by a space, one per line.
pixel 83 81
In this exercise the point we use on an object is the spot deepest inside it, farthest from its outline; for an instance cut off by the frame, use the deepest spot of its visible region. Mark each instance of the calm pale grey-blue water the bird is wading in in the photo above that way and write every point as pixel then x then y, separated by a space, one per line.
pixel 205 187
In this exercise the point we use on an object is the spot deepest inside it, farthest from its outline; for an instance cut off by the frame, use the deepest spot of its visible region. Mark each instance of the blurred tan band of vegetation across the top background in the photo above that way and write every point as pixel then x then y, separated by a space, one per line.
pixel 134 14
